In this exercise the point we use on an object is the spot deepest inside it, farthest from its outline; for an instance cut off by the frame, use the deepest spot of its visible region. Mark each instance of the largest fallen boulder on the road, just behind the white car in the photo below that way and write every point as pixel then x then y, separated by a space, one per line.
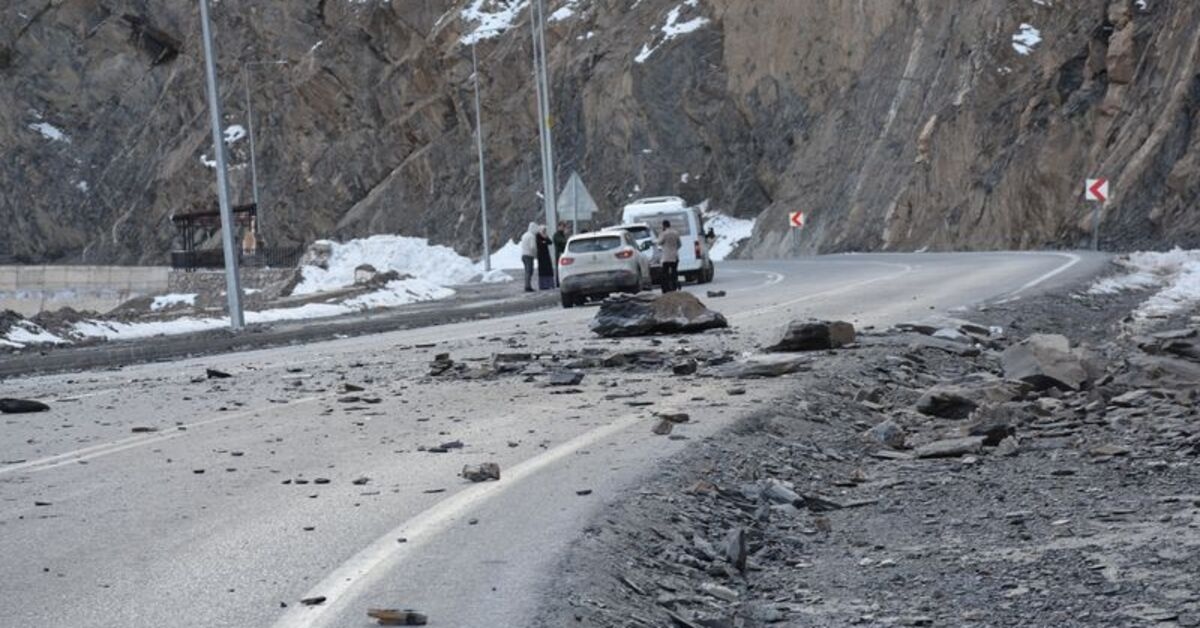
pixel 639 315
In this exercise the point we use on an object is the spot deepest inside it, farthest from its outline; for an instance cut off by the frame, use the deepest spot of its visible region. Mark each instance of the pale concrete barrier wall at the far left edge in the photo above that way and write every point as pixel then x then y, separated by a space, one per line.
pixel 29 290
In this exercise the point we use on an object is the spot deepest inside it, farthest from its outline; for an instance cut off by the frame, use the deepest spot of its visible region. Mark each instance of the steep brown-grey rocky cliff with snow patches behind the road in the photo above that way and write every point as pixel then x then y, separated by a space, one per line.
pixel 897 124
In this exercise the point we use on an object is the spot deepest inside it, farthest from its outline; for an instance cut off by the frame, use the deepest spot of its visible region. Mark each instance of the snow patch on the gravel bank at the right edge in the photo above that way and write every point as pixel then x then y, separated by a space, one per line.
pixel 1174 274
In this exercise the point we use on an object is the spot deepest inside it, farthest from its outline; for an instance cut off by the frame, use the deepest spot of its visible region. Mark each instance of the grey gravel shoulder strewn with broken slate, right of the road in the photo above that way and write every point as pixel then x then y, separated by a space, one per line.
pixel 1082 509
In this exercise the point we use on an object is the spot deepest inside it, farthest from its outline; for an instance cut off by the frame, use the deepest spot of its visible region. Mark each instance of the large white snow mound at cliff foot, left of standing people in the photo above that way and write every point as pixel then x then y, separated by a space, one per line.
pixel 409 256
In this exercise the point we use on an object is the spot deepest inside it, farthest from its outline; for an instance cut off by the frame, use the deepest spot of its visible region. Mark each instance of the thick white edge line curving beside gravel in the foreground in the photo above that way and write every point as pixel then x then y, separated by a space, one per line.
pixel 364 569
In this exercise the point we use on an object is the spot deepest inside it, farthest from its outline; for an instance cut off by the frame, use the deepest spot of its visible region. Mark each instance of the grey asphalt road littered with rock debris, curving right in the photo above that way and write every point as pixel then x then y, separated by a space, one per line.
pixel 196 523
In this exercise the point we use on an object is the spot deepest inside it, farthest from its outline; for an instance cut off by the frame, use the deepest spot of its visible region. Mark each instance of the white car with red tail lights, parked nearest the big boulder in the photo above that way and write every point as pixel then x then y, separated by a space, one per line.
pixel 597 265
